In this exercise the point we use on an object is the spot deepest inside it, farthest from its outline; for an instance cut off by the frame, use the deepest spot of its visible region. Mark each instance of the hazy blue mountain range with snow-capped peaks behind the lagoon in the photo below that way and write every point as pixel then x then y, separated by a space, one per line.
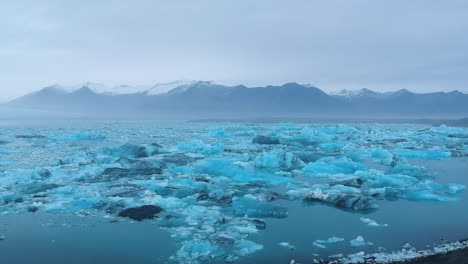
pixel 207 100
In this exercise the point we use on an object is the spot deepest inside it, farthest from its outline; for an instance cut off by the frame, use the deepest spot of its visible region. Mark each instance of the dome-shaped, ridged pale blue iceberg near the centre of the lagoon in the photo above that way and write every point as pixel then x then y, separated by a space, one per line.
pixel 278 159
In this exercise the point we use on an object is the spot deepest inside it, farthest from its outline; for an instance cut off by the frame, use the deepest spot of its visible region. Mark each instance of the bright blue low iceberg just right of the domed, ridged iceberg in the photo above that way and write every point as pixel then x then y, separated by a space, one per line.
pixel 333 166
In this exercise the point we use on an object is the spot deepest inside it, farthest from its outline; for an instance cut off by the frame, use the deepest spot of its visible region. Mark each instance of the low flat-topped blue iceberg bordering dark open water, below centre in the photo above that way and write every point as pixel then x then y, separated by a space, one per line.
pixel 255 208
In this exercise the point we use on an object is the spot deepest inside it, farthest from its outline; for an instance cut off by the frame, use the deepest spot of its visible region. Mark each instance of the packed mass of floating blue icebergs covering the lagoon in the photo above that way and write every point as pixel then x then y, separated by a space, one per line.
pixel 205 193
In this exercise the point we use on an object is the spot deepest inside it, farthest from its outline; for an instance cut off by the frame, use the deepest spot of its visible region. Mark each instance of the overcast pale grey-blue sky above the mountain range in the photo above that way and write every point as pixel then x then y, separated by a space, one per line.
pixel 382 45
